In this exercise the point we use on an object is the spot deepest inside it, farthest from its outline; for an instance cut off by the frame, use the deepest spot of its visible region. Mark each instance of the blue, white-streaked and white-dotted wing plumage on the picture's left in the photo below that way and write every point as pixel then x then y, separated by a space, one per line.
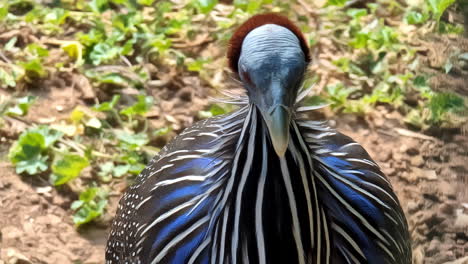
pixel 165 215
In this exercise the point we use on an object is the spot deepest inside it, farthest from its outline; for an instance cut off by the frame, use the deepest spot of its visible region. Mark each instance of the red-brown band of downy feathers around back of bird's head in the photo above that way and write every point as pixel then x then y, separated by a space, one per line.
pixel 235 44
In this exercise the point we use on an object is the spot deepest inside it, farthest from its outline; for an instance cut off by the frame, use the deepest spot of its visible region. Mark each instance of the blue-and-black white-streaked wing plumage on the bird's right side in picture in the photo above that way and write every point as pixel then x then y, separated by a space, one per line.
pixel 366 222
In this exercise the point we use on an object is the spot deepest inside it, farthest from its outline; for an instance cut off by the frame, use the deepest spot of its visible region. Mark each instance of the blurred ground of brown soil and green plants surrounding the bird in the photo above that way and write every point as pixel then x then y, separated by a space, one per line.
pixel 91 90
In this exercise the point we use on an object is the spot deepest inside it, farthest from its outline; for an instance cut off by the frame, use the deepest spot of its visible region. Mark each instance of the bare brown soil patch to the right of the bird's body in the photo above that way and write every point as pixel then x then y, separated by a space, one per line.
pixel 430 177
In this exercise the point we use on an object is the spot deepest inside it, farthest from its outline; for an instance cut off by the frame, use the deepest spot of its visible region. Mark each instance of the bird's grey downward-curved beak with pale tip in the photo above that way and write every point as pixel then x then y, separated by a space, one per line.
pixel 277 121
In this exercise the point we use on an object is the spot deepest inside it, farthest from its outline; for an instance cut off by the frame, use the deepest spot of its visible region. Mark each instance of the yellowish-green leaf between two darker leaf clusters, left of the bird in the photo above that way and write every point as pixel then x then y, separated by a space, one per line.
pixel 67 168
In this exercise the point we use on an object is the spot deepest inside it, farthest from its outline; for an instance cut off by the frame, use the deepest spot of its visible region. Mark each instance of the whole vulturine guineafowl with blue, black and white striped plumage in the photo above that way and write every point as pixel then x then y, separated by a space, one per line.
pixel 264 183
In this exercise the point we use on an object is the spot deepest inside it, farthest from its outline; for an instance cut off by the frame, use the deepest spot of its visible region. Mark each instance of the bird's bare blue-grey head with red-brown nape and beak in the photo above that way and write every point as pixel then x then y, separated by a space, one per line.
pixel 270 56
